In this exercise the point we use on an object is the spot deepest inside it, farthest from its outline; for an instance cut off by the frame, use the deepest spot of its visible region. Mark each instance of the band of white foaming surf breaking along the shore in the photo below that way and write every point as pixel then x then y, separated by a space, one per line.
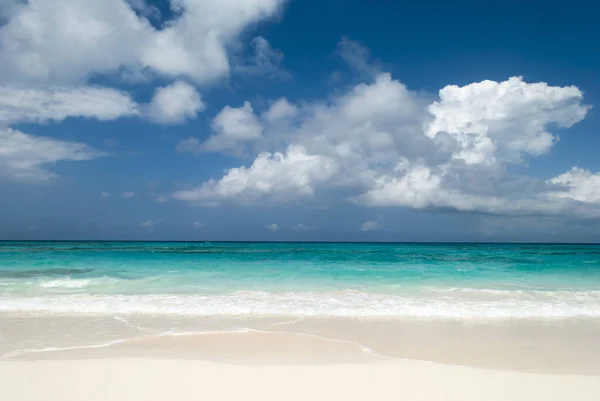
pixel 429 305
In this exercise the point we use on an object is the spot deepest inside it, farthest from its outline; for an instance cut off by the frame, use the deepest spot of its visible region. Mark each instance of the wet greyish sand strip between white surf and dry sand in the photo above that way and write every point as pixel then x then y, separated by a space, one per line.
pixel 554 347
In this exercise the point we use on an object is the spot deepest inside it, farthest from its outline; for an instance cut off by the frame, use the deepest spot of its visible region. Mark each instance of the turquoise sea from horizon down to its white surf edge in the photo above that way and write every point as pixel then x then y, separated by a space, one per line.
pixel 314 279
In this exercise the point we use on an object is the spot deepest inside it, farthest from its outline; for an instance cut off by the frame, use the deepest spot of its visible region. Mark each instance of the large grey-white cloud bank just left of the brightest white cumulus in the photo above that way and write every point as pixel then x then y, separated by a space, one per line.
pixel 332 141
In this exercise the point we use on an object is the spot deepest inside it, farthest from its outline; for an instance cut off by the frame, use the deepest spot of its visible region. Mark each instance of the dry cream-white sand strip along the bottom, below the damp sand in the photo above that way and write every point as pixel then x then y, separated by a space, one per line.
pixel 142 379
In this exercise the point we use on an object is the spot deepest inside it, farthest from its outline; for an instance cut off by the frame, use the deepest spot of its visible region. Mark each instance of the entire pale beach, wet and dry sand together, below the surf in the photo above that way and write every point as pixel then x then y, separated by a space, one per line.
pixel 302 359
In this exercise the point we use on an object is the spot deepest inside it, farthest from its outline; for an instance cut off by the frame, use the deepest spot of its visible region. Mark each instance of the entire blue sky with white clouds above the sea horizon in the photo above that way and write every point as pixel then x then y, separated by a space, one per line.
pixel 299 120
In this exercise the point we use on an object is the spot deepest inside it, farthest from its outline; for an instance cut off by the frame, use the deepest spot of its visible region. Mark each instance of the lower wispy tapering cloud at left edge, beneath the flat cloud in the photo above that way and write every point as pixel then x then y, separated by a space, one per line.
pixel 25 157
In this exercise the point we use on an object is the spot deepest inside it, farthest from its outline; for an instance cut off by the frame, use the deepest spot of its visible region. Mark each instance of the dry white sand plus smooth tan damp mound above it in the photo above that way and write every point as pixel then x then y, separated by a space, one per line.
pixel 267 366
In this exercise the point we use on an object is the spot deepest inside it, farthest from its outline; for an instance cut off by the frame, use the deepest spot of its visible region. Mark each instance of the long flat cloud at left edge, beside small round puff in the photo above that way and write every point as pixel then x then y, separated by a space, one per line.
pixel 57 103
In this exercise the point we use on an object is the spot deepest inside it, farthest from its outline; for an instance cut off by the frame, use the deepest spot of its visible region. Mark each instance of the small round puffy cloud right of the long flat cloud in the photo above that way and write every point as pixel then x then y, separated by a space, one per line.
pixel 175 103
